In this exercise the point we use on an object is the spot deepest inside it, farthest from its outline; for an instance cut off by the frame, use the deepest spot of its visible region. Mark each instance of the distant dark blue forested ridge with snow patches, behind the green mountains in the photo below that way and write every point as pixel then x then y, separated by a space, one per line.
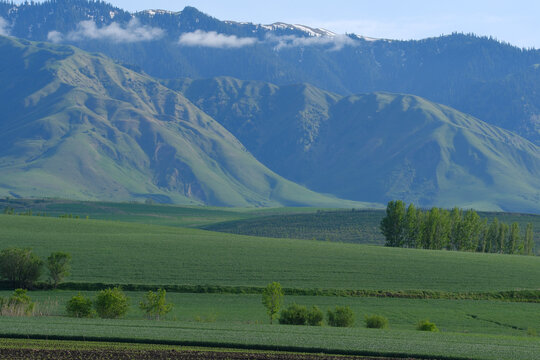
pixel 493 81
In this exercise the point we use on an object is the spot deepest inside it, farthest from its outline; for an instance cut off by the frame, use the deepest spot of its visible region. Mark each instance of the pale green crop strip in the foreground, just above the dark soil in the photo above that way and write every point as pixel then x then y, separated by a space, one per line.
pixel 275 337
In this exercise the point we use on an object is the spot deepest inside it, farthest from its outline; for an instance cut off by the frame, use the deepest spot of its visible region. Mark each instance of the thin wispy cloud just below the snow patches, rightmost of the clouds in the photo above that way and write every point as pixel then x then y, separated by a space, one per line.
pixel 334 43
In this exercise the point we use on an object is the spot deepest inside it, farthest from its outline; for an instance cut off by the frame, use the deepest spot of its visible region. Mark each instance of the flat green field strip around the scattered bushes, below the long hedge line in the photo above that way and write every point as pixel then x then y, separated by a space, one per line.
pixel 457 316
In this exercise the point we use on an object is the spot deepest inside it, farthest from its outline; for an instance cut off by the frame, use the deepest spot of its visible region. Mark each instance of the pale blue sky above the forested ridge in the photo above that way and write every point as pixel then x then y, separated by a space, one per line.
pixel 517 22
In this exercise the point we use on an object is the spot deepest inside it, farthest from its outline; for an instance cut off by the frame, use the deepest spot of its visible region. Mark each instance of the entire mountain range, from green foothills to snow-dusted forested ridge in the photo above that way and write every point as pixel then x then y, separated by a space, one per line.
pixel 184 108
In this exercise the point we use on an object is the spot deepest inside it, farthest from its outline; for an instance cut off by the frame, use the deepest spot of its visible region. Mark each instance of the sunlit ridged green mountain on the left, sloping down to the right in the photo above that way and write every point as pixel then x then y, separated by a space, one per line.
pixel 77 125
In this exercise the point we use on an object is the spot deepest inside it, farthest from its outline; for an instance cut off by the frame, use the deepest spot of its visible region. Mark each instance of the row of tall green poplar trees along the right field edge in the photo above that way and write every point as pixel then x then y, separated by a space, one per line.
pixel 454 229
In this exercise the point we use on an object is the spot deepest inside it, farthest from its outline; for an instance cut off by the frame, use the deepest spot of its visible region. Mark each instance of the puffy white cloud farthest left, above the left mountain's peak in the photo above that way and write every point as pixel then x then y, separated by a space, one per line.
pixel 88 30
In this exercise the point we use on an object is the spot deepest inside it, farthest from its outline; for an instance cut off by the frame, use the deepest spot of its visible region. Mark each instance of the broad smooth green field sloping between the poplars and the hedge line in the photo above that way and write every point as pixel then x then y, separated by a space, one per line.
pixel 124 253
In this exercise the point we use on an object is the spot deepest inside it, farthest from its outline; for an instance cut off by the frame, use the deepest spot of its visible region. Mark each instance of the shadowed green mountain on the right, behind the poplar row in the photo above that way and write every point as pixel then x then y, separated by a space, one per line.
pixel 375 147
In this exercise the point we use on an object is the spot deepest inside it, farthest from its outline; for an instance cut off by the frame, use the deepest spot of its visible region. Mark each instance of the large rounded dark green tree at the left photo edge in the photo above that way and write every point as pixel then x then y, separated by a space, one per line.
pixel 20 266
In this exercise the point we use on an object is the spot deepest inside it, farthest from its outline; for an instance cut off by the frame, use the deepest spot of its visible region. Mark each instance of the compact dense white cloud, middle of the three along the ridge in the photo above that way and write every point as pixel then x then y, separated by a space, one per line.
pixel 215 40
